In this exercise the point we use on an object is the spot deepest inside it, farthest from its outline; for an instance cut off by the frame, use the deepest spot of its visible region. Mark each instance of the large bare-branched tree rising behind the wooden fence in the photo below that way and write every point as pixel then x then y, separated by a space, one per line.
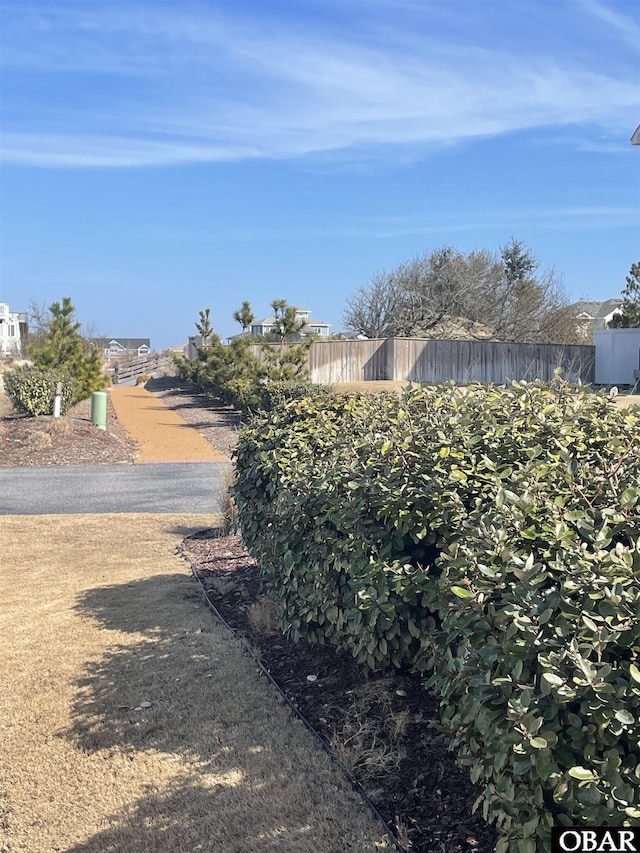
pixel 448 293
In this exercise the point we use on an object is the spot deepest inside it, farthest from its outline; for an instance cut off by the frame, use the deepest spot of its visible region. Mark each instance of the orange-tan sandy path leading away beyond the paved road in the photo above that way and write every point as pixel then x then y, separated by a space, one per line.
pixel 162 435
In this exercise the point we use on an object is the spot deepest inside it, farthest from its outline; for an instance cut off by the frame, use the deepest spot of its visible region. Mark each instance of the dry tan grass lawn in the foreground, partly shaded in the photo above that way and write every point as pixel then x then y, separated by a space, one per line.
pixel 130 720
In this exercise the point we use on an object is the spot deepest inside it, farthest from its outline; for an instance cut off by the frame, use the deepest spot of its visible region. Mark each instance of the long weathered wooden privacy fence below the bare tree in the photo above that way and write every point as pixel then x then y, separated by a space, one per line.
pixel 419 360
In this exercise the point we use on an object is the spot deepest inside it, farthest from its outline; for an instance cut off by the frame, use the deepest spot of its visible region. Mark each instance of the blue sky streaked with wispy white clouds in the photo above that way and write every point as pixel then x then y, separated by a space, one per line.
pixel 159 158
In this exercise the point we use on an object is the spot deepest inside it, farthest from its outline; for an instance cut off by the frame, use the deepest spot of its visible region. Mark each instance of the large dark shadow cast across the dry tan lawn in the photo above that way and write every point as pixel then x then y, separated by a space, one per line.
pixel 223 764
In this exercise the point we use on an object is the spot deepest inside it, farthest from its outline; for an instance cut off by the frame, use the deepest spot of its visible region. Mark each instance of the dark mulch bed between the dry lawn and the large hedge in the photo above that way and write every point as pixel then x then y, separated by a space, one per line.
pixel 385 727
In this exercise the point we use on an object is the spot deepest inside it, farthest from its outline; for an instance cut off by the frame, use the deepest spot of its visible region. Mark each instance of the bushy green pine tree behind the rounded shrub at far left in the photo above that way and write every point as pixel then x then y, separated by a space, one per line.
pixel 64 348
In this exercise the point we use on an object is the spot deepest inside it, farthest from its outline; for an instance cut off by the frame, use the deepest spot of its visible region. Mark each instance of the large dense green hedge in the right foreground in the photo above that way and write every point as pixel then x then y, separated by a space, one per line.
pixel 487 537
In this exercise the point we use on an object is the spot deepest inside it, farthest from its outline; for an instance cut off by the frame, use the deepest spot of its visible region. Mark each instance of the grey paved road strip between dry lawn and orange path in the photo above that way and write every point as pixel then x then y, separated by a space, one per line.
pixel 193 487
